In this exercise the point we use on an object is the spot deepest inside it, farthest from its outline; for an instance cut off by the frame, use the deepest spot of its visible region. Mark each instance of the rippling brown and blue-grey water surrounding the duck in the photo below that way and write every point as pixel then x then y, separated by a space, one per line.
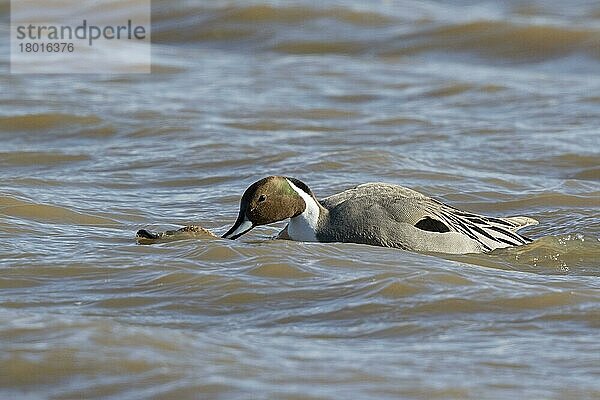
pixel 494 108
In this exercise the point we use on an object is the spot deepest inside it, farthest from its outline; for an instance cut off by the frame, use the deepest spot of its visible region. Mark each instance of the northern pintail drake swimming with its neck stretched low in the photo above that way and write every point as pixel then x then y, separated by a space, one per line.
pixel 378 214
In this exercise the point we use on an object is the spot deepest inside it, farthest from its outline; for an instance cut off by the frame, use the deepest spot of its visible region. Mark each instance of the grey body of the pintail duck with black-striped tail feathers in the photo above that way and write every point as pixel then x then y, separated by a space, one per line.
pixel 394 216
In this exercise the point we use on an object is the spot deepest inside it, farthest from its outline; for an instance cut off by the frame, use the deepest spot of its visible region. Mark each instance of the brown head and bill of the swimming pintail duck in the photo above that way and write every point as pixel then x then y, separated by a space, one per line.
pixel 268 200
